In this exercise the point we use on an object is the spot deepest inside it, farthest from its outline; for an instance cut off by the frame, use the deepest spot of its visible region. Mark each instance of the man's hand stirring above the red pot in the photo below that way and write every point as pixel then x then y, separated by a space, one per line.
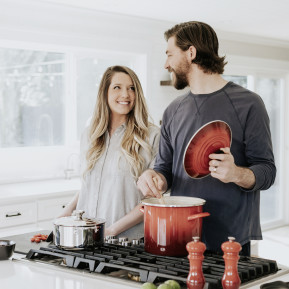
pixel 147 185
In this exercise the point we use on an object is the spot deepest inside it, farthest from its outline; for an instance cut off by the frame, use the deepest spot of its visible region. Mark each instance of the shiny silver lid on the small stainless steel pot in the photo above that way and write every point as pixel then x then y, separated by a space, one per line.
pixel 76 220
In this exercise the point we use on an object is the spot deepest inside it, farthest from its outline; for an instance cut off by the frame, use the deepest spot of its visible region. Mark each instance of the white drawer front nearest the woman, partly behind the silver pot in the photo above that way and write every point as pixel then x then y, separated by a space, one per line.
pixel 50 209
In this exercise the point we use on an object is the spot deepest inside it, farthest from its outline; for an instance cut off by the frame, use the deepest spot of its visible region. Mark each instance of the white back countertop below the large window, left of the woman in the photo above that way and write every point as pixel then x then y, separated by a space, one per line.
pixel 38 188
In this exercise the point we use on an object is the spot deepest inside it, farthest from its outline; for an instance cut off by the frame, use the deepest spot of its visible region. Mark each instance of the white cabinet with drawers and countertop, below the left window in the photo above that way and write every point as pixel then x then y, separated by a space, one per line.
pixel 34 205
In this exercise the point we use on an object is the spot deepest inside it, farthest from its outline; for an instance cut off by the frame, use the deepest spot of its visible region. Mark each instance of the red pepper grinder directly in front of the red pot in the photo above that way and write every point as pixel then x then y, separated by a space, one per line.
pixel 196 251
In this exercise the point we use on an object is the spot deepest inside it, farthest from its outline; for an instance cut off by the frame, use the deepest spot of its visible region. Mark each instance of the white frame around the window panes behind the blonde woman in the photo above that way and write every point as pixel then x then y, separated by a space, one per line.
pixel 15 158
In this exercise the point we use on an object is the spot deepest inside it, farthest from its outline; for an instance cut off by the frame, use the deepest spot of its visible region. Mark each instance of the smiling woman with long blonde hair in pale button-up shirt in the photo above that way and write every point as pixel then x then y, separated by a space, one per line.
pixel 118 145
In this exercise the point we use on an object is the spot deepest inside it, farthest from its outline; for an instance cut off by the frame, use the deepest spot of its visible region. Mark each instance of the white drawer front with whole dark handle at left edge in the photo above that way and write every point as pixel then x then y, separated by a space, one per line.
pixel 18 214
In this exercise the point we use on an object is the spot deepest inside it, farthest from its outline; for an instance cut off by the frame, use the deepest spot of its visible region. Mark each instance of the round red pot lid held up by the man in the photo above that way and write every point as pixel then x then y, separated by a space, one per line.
pixel 207 140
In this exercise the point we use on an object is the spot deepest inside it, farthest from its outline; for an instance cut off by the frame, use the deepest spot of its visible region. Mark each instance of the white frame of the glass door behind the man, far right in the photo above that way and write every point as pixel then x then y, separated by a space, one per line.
pixel 253 68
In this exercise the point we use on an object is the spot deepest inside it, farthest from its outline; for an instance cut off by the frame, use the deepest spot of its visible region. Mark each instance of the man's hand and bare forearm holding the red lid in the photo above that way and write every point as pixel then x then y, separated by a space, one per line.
pixel 222 167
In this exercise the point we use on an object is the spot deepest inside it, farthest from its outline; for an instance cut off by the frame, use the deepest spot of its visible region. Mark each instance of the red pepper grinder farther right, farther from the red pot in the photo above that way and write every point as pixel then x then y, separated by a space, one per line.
pixel 231 249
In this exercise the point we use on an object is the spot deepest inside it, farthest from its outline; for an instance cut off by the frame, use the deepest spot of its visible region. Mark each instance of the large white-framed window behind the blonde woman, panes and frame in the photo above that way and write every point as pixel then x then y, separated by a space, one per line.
pixel 46 98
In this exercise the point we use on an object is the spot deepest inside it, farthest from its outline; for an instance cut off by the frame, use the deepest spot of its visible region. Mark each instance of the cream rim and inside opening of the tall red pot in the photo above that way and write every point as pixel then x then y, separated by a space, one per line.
pixel 174 201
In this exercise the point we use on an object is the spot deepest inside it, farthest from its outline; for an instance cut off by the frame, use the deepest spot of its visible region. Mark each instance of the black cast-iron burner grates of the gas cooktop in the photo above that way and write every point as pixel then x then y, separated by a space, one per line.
pixel 151 268
